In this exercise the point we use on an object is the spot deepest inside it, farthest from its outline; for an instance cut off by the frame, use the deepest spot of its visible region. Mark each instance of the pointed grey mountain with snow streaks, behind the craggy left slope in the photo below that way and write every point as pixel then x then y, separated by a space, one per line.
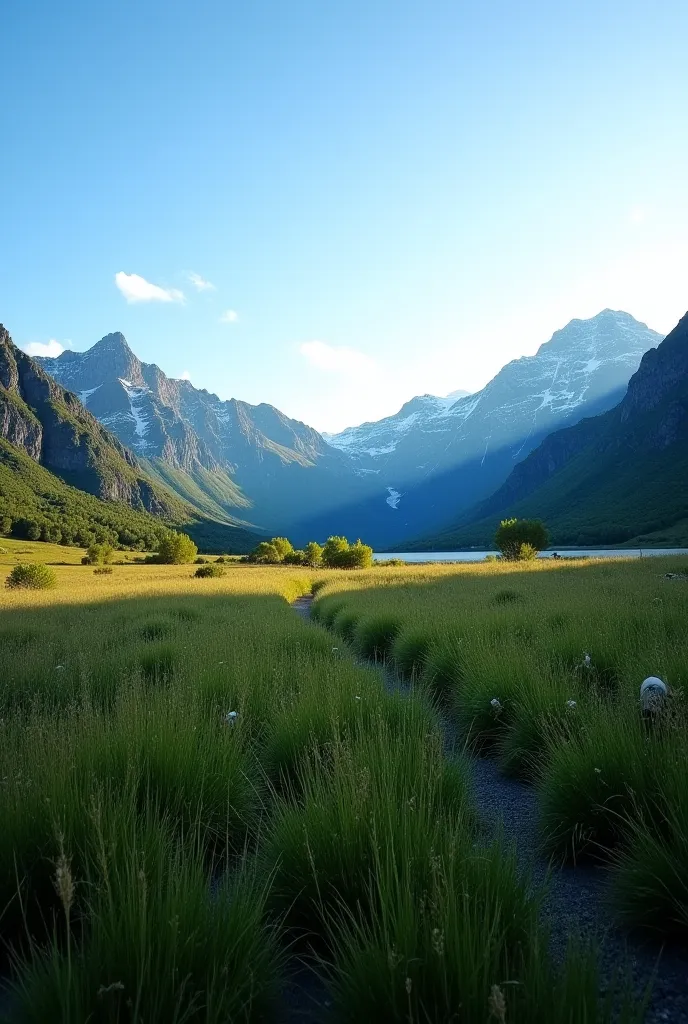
pixel 250 464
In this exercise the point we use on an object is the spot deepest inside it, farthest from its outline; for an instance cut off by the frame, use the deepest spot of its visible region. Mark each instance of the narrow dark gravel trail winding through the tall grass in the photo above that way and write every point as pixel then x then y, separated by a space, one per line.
pixel 576 902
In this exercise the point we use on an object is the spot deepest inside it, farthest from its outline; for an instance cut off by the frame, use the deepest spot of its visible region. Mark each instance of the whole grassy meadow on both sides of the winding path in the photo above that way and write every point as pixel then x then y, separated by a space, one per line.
pixel 201 793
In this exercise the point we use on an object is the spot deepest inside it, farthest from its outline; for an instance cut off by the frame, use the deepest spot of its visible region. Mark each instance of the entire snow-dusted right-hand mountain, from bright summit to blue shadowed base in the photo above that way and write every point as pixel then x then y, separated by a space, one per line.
pixel 437 458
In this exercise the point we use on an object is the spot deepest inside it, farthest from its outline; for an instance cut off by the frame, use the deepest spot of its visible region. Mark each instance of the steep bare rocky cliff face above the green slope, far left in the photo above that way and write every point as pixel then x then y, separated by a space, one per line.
pixel 54 429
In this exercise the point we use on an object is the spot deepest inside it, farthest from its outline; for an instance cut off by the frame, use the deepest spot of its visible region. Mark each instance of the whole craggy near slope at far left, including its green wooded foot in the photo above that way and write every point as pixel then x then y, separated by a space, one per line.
pixel 61 467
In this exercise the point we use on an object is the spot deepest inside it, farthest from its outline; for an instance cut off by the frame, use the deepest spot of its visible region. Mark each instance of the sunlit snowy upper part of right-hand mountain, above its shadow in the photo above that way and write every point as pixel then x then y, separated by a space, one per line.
pixel 583 370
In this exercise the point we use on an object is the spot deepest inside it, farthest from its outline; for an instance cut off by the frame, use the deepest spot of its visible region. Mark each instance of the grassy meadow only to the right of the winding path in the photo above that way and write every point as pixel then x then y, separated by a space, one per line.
pixel 540 665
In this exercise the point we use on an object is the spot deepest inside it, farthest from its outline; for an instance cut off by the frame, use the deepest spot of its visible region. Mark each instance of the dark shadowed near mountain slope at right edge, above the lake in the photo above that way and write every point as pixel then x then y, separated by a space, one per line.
pixel 611 479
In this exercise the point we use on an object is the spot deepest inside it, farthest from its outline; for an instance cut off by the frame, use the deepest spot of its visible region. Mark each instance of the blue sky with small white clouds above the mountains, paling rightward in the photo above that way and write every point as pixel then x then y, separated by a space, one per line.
pixel 334 205
